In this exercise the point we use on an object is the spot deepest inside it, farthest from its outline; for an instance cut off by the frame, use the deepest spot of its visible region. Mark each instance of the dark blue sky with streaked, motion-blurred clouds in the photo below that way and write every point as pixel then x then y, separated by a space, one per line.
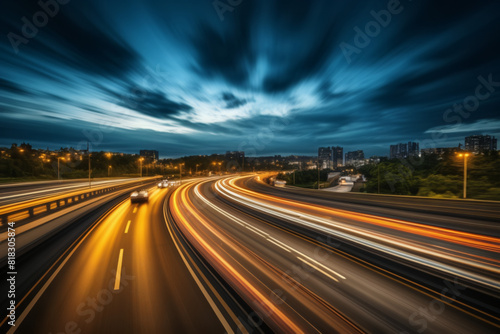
pixel 266 77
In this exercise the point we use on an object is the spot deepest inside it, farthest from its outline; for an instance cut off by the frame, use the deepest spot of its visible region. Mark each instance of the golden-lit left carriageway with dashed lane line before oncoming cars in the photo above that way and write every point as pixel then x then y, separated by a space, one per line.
pixel 154 293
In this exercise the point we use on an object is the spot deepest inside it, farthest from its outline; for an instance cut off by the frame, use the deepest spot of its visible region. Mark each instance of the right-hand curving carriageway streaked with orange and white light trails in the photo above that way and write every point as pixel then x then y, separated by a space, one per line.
pixel 310 268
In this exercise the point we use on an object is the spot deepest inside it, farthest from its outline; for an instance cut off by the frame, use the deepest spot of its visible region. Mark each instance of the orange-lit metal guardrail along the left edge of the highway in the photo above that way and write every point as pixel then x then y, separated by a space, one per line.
pixel 52 205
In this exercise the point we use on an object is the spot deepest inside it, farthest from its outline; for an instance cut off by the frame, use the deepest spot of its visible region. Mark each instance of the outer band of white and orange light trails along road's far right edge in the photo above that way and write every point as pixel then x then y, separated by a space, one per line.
pixel 322 219
